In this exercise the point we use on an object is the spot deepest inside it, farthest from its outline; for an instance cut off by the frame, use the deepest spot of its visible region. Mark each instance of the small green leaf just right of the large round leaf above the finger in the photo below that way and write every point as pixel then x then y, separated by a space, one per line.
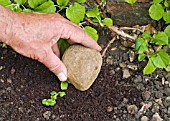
pixel 94 12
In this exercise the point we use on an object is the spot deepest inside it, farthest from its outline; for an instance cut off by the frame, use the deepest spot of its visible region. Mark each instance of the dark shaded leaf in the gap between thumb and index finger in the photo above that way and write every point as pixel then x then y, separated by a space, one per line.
pixel 62 45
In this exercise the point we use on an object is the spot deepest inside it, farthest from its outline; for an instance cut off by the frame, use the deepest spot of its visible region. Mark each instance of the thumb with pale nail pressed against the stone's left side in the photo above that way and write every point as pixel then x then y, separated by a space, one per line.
pixel 55 65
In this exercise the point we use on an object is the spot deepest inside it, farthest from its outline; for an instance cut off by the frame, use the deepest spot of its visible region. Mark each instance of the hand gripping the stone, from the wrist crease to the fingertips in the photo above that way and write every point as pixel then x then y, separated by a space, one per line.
pixel 35 35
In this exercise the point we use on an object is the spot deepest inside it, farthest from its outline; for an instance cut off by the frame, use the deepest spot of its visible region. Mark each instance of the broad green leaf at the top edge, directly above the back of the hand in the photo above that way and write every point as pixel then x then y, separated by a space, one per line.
pixel 46 7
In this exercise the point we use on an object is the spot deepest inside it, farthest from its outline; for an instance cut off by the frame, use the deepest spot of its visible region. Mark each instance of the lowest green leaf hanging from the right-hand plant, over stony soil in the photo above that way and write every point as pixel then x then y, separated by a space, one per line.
pixel 150 67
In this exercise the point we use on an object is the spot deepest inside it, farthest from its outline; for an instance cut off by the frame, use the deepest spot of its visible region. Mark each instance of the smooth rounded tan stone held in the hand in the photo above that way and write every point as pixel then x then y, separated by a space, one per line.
pixel 83 66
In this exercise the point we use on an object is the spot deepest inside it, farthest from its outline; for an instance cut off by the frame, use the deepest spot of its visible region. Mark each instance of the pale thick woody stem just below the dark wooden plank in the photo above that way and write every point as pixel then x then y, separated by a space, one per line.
pixel 121 33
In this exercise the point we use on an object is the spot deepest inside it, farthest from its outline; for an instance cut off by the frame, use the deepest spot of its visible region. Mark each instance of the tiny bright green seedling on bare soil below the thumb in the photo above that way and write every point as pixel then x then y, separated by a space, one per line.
pixel 53 95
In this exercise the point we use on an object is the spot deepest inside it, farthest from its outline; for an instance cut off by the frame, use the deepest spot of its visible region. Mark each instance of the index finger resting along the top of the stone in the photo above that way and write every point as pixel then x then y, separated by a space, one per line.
pixel 78 35
